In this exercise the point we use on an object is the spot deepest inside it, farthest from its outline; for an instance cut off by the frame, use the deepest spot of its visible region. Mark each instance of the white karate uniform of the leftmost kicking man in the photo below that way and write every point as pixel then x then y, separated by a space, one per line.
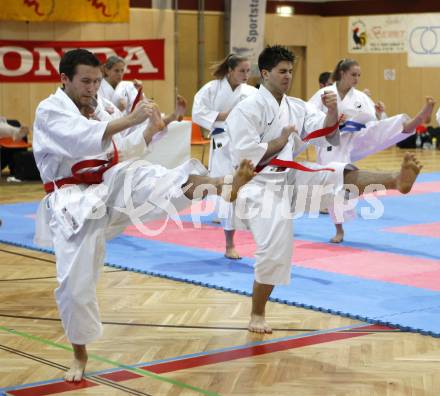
pixel 76 220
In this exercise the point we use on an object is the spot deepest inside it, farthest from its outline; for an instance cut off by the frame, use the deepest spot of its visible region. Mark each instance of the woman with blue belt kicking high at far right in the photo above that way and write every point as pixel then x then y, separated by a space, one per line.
pixel 364 131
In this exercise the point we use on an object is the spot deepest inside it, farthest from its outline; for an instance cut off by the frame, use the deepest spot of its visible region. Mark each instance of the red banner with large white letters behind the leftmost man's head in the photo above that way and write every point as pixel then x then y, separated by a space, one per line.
pixel 38 61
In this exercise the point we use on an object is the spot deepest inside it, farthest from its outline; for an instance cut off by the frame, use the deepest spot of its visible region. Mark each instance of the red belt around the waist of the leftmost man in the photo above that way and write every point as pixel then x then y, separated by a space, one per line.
pixel 81 176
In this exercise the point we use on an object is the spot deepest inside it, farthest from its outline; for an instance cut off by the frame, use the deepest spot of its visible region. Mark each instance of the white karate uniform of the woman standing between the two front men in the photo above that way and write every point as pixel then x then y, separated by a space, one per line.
pixel 214 97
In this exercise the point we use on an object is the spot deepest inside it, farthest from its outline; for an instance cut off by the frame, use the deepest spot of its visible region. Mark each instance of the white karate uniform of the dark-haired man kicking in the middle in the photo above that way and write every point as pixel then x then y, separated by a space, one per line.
pixel 251 125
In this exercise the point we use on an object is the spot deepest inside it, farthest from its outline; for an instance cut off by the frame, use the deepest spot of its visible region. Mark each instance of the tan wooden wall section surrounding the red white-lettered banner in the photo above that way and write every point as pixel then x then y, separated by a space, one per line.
pixel 19 100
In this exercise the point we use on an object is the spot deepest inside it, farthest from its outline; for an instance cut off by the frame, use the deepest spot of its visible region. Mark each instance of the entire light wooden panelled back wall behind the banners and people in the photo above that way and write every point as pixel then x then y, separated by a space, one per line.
pixel 324 40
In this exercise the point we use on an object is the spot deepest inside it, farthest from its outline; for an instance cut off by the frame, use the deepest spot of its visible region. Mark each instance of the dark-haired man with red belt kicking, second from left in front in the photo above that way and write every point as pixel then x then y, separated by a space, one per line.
pixel 269 125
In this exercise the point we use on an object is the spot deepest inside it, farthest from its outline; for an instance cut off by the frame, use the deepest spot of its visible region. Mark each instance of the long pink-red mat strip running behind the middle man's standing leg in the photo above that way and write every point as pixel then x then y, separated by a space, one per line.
pixel 388 267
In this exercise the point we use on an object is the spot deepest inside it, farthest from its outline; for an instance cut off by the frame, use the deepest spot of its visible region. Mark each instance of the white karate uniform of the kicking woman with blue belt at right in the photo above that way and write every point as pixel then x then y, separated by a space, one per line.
pixel 368 135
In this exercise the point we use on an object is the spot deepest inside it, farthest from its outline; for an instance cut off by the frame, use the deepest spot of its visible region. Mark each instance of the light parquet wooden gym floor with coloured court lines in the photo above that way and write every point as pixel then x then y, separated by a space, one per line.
pixel 151 319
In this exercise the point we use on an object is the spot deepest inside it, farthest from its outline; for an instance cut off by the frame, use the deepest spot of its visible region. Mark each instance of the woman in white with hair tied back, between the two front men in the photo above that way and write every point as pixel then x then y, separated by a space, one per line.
pixel 212 104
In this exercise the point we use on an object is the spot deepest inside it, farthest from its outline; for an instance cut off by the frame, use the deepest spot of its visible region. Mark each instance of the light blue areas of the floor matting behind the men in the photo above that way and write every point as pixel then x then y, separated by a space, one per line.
pixel 405 307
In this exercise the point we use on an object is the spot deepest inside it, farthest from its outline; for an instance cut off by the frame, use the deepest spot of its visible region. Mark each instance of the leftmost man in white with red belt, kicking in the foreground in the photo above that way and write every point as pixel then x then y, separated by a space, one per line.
pixel 75 217
